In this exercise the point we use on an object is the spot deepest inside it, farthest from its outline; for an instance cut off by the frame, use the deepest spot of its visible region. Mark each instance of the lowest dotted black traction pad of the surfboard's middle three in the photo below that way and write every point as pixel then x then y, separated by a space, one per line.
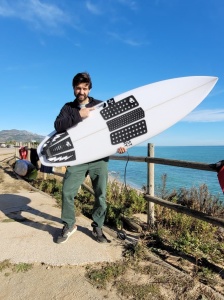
pixel 127 133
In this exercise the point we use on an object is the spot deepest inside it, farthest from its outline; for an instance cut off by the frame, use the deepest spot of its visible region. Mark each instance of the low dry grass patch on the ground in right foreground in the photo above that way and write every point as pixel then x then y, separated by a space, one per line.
pixel 139 276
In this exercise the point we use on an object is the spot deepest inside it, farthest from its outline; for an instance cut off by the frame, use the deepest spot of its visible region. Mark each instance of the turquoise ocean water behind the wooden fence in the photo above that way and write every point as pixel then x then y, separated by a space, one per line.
pixel 177 177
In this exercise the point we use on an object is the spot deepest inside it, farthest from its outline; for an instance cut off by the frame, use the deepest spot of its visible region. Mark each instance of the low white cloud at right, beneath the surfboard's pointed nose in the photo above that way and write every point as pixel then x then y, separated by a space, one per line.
pixel 206 115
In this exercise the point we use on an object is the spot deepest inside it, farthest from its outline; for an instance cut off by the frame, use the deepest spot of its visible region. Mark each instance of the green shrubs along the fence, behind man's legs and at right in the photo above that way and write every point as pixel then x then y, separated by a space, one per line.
pixel 182 232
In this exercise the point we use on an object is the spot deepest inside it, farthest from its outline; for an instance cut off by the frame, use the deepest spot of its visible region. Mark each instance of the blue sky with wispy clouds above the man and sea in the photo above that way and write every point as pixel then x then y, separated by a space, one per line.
pixel 123 44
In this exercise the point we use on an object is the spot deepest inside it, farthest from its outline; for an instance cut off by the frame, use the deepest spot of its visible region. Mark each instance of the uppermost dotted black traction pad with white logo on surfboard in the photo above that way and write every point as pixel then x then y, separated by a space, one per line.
pixel 117 108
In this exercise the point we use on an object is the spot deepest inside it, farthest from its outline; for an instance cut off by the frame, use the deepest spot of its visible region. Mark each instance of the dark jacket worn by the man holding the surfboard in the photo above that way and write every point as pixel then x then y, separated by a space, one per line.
pixel 69 114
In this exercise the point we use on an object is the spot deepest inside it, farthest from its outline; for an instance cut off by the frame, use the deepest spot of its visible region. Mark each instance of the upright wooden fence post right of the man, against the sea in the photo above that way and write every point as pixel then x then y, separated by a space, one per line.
pixel 150 186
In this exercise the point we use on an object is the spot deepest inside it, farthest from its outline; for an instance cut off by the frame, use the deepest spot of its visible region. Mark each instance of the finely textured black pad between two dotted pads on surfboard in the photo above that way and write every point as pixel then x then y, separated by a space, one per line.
pixel 126 119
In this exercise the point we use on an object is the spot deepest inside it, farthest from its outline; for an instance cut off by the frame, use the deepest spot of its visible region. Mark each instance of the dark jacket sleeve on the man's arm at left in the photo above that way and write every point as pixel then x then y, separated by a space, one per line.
pixel 68 117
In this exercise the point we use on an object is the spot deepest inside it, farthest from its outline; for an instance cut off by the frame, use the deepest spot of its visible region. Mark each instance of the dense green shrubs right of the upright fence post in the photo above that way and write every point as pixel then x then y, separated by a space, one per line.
pixel 187 234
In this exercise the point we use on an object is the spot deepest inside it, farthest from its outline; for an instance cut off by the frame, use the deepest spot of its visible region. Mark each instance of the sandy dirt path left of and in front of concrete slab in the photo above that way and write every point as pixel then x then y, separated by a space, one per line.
pixel 41 281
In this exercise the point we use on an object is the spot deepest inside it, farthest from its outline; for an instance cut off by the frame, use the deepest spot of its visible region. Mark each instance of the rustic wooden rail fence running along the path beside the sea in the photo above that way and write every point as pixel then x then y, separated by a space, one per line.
pixel 150 160
